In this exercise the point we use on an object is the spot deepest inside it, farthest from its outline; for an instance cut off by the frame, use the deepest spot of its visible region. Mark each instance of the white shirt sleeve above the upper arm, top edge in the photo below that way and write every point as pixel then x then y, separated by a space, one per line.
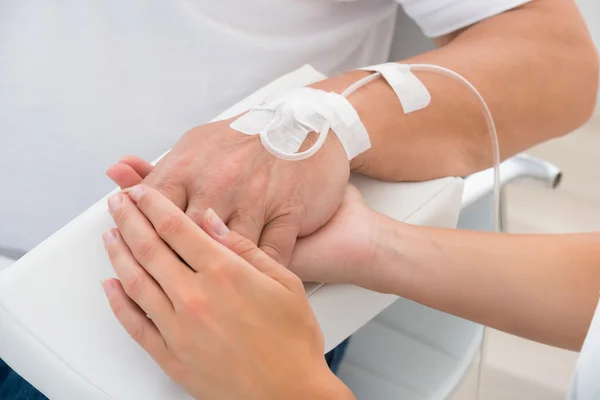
pixel 440 17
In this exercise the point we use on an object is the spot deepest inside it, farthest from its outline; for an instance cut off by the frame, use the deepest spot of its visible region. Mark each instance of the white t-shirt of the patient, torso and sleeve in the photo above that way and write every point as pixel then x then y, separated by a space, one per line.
pixel 83 83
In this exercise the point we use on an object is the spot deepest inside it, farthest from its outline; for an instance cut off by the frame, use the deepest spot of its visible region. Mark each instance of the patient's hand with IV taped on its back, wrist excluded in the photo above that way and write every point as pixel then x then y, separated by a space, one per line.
pixel 267 200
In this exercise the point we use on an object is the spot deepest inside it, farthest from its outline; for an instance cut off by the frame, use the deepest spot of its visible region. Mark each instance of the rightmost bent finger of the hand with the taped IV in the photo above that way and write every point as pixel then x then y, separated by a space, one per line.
pixel 278 239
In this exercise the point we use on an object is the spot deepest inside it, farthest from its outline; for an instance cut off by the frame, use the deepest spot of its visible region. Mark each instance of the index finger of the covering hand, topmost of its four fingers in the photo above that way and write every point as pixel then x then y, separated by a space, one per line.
pixel 175 228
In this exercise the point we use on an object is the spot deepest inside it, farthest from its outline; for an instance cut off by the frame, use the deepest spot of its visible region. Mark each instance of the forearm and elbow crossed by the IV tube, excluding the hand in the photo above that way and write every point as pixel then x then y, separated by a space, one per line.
pixel 535 66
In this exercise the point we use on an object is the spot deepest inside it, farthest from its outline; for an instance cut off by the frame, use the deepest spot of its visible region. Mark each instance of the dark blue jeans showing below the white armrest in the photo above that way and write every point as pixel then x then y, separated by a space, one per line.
pixel 13 387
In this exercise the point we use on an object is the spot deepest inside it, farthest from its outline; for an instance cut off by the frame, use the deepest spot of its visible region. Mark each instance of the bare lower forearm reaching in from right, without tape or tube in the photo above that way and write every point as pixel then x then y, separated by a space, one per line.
pixel 541 287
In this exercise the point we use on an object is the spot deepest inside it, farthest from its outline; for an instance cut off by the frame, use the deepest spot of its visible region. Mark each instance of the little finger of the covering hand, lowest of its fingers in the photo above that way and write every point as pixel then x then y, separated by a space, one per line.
pixel 134 320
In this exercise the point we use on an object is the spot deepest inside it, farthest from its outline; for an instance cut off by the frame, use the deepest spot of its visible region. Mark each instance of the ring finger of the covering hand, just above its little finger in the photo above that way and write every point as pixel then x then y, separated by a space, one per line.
pixel 138 284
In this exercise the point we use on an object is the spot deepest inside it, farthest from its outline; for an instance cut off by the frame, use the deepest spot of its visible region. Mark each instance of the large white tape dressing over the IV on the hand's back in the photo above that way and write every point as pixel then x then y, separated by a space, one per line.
pixel 286 122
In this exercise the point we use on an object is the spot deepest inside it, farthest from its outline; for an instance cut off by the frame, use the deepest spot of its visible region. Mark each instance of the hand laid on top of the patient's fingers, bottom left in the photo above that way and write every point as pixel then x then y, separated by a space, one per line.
pixel 225 323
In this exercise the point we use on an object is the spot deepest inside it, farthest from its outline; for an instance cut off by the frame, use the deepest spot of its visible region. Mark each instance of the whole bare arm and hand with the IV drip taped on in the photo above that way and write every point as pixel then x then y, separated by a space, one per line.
pixel 536 67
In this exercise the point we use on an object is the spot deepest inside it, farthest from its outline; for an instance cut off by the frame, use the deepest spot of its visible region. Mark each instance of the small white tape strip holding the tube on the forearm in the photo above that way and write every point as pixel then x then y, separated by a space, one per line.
pixel 409 89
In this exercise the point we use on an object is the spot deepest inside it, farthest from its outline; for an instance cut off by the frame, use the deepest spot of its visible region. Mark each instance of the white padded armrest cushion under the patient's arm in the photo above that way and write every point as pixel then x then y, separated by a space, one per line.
pixel 58 332
